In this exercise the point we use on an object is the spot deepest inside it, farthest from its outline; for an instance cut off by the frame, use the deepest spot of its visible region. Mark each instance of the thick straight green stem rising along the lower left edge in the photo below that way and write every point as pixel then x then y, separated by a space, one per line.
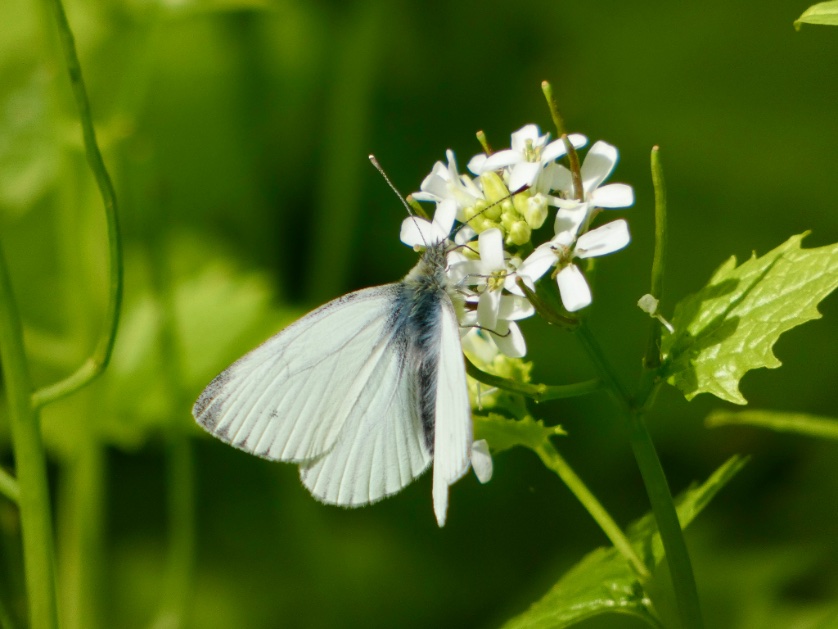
pixel 30 463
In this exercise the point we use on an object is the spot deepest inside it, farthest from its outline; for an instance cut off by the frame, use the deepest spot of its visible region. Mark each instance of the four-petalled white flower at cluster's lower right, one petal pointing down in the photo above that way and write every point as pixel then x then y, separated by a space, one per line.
pixel 564 247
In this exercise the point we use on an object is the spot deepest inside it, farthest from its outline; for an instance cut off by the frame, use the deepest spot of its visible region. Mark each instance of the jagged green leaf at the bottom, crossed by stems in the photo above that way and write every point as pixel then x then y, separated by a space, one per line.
pixel 604 583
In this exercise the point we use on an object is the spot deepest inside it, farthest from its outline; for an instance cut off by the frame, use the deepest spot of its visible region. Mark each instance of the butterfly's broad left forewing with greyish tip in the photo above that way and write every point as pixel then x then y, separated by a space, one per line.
pixel 290 398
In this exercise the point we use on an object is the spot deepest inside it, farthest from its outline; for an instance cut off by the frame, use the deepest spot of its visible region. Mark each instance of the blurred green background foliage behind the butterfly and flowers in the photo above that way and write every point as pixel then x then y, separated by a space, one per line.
pixel 237 133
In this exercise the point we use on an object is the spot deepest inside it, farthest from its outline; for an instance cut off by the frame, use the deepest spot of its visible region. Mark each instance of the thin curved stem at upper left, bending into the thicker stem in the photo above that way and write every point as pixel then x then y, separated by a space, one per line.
pixel 98 361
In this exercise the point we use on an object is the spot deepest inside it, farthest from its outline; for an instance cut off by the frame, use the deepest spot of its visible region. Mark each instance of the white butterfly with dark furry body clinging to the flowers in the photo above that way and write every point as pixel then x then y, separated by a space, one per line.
pixel 363 392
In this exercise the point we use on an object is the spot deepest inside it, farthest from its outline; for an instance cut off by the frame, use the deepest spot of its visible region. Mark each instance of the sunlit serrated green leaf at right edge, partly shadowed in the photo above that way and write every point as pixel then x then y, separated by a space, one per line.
pixel 730 326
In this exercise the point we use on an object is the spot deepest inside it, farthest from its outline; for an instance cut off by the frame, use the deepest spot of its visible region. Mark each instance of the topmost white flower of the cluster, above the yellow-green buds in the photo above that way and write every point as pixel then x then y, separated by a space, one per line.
pixel 528 157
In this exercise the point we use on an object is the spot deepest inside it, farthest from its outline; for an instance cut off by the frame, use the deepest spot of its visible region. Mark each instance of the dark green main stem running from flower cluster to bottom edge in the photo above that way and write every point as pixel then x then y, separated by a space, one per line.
pixel 657 487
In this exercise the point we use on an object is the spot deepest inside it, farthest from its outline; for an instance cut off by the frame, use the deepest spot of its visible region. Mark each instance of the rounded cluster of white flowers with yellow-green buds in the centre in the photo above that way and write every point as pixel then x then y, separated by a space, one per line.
pixel 507 196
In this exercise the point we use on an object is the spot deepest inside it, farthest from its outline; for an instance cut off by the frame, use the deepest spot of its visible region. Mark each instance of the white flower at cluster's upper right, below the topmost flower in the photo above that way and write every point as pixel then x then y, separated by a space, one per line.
pixel 598 164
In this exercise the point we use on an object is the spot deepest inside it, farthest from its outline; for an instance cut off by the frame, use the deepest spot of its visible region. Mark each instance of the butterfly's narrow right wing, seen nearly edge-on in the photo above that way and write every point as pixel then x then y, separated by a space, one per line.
pixel 452 428
